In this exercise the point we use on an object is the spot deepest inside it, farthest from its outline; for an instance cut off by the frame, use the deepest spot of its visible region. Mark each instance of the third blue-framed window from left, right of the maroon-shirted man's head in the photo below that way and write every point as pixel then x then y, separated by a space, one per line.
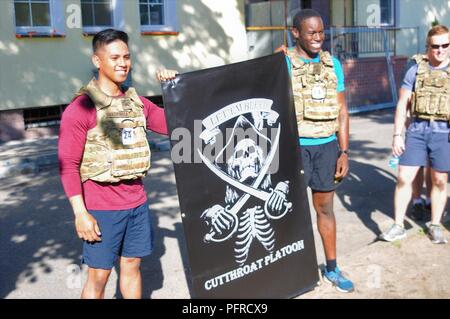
pixel 158 15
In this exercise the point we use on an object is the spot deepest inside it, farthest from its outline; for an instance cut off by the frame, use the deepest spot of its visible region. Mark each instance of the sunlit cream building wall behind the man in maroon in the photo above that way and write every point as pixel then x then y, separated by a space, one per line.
pixel 47 71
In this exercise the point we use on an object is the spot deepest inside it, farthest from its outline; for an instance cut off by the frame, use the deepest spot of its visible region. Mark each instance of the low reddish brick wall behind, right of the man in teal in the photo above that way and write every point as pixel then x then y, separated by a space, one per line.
pixel 367 80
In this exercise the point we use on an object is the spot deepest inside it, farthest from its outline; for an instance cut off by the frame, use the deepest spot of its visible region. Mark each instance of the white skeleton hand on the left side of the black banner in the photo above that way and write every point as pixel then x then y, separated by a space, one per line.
pixel 222 223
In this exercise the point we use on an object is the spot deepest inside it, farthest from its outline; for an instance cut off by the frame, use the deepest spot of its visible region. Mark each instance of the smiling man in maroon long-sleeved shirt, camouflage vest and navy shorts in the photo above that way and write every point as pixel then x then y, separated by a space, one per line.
pixel 103 155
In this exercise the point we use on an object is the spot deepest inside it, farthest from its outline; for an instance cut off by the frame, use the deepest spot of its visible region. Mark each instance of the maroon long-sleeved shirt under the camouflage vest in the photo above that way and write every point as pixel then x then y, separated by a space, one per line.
pixel 78 118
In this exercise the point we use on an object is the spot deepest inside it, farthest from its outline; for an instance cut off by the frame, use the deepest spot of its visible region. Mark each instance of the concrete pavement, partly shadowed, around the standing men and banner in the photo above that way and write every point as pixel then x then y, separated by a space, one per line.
pixel 39 250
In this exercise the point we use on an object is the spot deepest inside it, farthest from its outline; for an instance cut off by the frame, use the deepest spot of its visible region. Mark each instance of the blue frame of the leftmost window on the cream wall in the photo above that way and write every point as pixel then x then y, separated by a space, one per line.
pixel 57 19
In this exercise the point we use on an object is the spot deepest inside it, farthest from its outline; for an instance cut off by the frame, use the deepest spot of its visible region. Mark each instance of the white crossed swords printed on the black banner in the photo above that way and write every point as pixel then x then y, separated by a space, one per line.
pixel 252 190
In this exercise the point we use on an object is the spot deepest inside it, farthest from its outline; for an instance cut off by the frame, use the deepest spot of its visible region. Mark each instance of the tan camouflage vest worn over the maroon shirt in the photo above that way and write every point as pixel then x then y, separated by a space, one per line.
pixel 116 148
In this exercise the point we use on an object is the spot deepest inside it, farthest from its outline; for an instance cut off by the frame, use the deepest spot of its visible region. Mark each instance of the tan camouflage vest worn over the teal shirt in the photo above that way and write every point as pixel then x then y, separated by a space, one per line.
pixel 314 86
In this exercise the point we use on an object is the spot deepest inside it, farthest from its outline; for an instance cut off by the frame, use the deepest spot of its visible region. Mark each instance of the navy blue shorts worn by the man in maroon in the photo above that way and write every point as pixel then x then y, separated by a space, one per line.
pixel 126 233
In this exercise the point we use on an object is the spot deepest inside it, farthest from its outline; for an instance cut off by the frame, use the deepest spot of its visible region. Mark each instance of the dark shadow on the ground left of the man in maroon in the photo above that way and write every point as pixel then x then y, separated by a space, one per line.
pixel 36 227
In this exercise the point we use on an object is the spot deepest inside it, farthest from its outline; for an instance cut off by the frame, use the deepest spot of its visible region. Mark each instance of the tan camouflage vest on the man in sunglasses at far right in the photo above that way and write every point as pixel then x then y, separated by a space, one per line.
pixel 431 97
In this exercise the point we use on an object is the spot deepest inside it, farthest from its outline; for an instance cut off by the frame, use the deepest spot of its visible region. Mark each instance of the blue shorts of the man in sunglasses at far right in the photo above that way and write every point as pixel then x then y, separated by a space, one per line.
pixel 427 142
